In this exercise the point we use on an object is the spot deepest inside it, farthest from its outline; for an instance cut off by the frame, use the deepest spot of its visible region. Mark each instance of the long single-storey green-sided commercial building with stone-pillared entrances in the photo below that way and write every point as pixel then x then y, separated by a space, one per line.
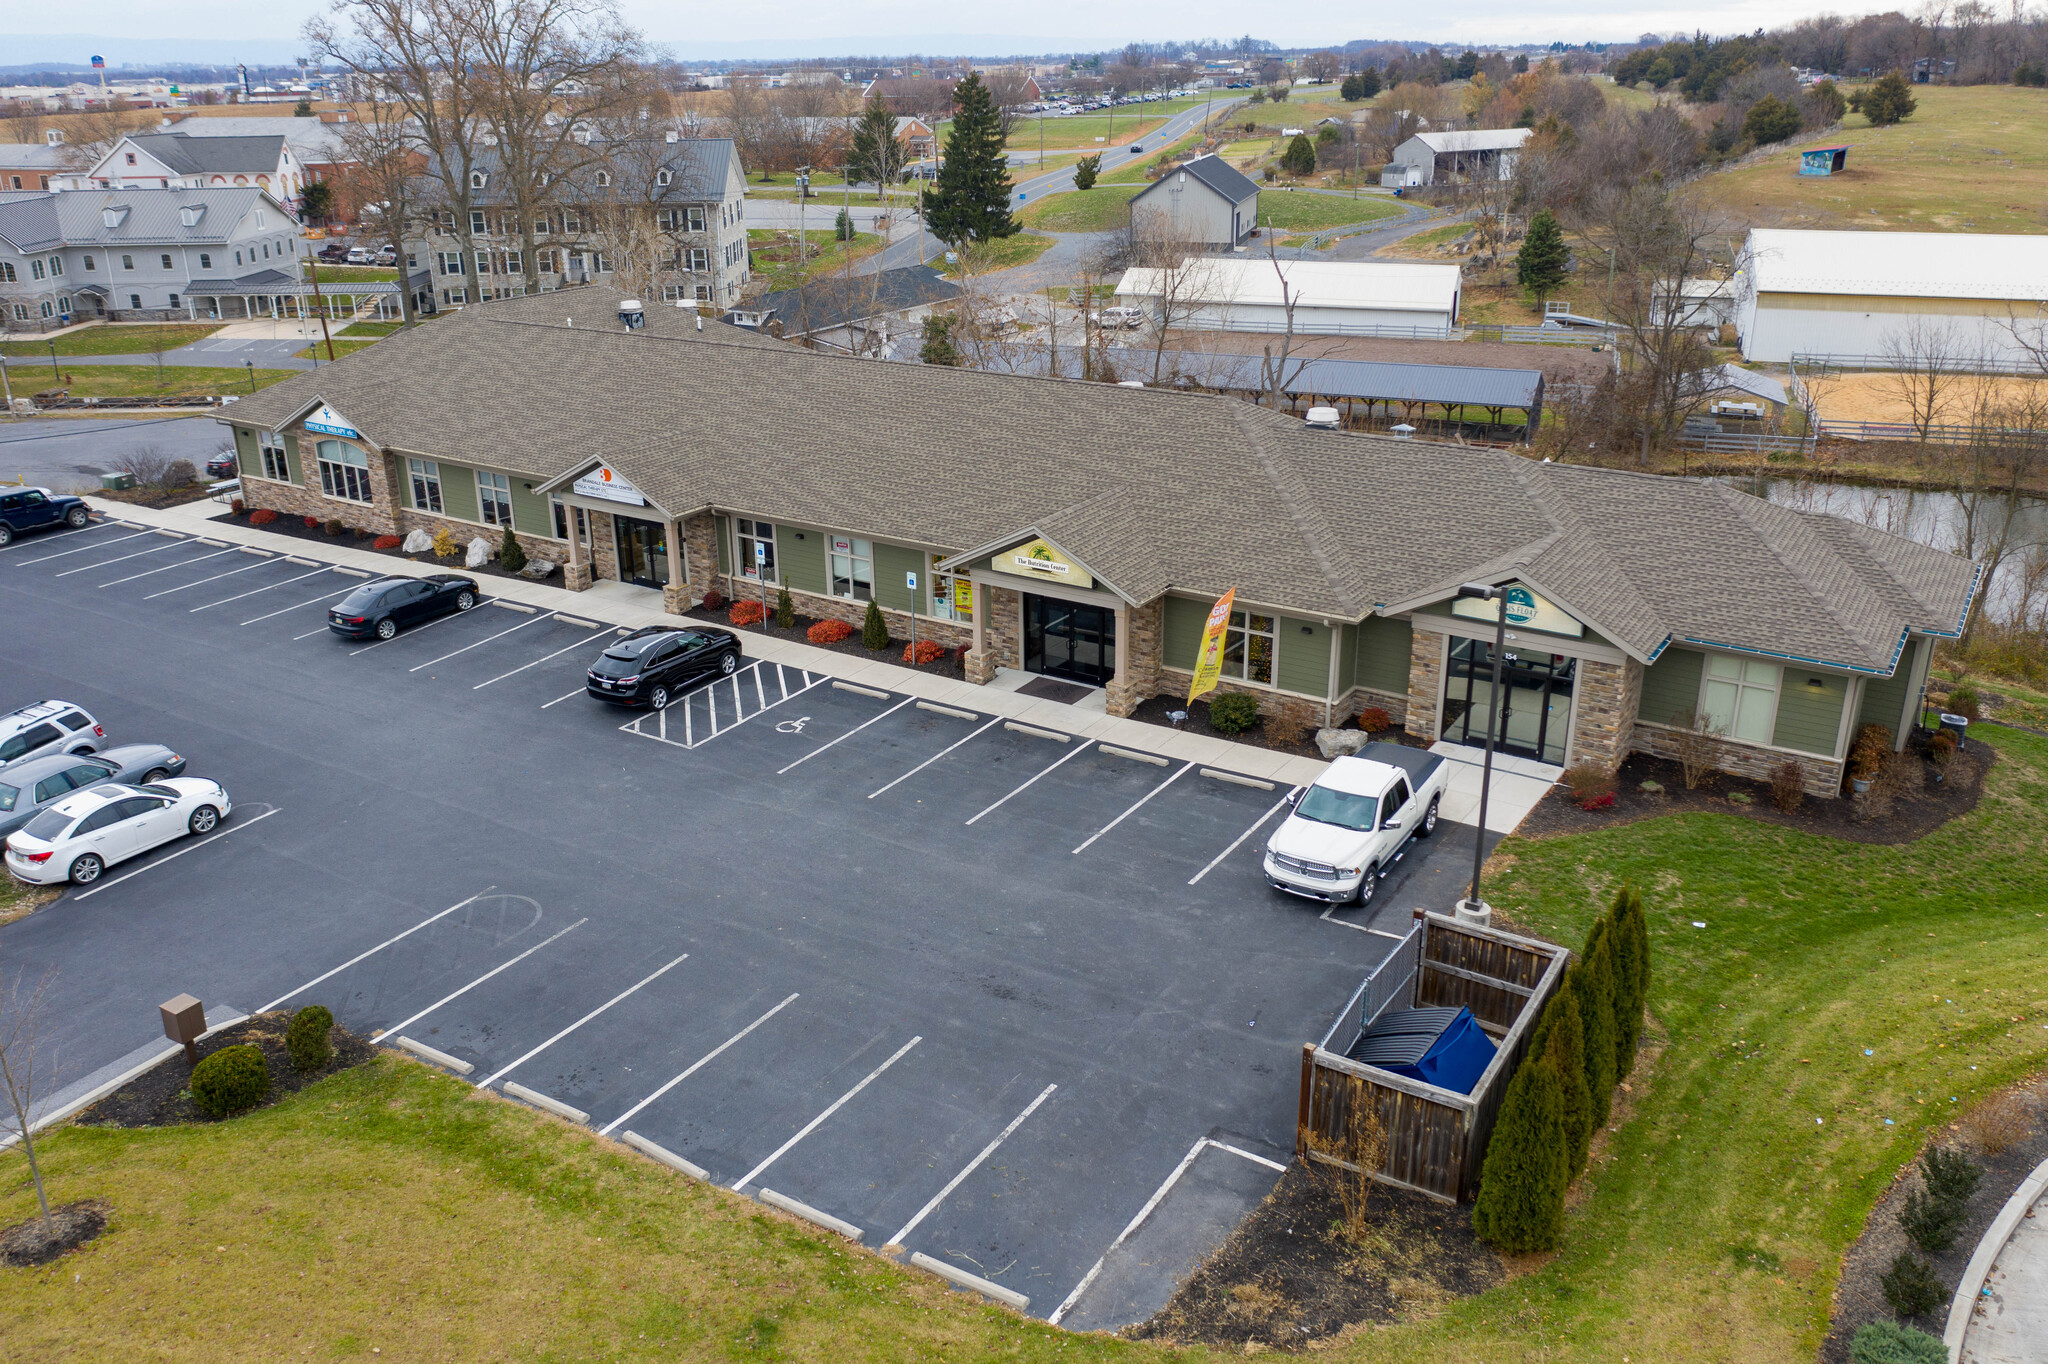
pixel 693 458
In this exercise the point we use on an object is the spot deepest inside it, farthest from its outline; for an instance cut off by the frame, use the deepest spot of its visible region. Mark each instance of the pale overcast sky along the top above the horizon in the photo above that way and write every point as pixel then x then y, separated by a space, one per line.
pixel 898 26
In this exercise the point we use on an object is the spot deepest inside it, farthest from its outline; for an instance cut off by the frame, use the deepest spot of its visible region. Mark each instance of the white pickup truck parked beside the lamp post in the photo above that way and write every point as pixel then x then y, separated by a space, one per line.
pixel 1357 822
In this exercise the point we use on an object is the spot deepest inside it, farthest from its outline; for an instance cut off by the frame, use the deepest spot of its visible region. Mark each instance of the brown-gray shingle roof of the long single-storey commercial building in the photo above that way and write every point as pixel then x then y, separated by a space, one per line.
pixel 1152 491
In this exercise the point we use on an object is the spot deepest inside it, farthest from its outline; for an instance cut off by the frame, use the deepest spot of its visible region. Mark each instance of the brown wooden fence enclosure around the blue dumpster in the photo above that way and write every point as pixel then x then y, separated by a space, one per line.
pixel 1435 1138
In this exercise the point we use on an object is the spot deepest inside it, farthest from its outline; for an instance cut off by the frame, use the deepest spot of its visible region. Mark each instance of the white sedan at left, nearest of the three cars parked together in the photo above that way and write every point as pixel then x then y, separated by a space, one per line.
pixel 91 830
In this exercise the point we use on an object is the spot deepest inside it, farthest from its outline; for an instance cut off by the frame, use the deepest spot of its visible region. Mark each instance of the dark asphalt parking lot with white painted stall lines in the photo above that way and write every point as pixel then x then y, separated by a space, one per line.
pixel 996 994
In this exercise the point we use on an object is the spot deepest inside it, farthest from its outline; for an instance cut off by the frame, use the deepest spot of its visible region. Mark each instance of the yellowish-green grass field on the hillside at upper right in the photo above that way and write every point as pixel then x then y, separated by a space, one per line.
pixel 1971 159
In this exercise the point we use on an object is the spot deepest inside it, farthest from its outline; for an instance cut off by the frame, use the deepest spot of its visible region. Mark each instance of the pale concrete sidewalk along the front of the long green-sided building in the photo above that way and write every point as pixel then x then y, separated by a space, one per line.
pixel 626 605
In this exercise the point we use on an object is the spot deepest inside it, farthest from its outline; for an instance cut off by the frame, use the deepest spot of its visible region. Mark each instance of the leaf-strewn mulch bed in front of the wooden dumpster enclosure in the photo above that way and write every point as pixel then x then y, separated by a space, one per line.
pixel 1287 1277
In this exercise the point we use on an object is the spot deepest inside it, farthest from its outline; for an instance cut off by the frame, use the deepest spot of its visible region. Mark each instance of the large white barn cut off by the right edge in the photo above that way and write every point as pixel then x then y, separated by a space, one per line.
pixel 1859 294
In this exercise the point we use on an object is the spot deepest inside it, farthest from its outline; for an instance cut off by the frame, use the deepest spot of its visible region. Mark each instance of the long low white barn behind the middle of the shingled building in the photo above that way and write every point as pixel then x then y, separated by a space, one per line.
pixel 1330 296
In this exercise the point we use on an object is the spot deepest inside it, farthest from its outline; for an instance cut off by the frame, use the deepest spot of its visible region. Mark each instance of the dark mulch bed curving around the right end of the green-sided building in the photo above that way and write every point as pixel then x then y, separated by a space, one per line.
pixel 1920 808
